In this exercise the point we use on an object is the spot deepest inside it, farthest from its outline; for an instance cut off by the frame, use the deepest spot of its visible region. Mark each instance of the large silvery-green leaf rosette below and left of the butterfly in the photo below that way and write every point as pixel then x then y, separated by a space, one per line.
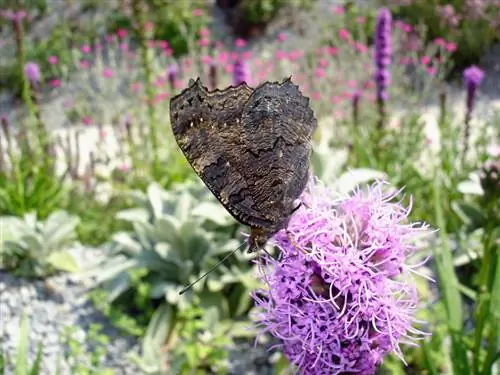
pixel 177 236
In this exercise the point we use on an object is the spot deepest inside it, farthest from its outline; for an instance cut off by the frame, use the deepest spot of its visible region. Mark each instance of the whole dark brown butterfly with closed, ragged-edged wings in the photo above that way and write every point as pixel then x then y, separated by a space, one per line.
pixel 251 147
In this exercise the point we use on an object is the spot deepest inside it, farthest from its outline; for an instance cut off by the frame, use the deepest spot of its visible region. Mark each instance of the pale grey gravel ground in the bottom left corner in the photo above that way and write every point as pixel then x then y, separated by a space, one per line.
pixel 52 305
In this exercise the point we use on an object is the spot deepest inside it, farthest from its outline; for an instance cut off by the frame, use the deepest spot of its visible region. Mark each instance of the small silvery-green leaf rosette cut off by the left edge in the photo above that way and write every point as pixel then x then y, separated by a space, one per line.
pixel 33 248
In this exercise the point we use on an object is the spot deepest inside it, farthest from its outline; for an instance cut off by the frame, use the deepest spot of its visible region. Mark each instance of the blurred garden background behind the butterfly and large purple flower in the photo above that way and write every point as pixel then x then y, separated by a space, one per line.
pixel 103 221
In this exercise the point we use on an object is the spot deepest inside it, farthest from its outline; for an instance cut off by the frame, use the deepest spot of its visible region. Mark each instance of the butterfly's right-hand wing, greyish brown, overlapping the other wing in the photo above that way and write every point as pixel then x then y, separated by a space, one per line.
pixel 277 128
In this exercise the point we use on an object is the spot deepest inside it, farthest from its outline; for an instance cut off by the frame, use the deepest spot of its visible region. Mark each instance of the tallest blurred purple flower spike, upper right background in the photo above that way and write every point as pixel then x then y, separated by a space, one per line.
pixel 383 53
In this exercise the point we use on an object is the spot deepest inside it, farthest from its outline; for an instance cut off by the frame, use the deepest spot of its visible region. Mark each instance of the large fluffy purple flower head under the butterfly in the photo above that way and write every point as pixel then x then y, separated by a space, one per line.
pixel 341 297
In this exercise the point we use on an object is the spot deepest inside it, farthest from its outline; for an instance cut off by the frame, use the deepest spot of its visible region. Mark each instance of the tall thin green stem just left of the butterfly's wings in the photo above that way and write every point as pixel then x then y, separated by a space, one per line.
pixel 139 15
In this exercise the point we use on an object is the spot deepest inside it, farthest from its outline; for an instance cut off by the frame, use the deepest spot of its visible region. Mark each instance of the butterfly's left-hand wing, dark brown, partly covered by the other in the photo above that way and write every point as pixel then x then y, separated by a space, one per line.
pixel 207 128
